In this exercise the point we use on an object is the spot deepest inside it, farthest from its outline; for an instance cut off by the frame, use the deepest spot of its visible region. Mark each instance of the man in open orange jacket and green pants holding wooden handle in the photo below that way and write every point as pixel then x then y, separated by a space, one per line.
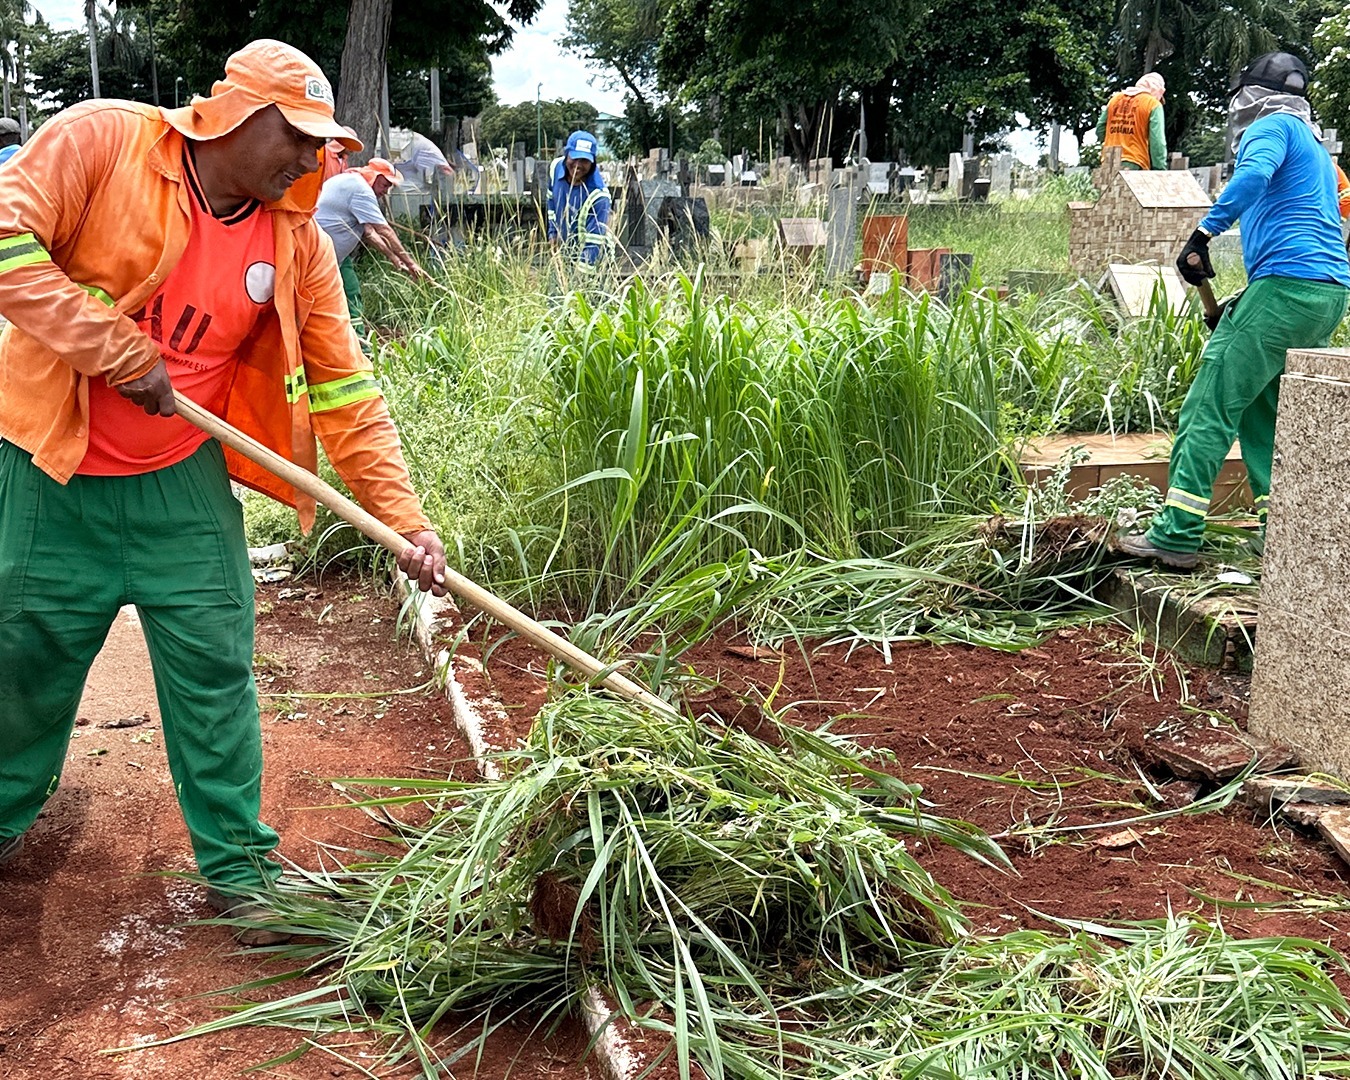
pixel 145 250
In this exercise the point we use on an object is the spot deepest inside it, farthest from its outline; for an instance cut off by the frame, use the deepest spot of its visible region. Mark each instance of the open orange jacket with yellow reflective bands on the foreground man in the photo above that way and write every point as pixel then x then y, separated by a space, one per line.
pixel 94 215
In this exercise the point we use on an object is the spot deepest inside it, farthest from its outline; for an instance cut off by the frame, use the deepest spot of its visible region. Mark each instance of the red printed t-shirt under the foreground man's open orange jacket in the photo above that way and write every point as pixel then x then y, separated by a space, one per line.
pixel 199 318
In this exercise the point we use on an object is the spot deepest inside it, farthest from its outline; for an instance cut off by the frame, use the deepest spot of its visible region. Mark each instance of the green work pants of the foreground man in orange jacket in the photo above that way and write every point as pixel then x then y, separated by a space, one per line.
pixel 172 543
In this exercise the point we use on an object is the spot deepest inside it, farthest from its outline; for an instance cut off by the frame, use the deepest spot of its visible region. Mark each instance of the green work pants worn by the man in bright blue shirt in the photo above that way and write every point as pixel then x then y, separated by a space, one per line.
pixel 1235 396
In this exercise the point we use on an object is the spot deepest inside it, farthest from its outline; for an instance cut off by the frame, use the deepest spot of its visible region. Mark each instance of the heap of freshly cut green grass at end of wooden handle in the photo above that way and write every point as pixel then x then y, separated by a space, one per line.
pixel 767 908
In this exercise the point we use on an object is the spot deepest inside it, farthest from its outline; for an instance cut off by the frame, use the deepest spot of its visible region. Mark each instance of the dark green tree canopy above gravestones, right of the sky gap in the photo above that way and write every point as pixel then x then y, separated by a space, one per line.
pixel 917 76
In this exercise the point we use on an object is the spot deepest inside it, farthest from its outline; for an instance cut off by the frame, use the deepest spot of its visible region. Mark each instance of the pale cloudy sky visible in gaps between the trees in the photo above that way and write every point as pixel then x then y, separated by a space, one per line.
pixel 534 57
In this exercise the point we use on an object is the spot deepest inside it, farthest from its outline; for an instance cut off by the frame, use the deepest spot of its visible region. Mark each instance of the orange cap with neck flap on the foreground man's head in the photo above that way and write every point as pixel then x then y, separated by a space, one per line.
pixel 267 74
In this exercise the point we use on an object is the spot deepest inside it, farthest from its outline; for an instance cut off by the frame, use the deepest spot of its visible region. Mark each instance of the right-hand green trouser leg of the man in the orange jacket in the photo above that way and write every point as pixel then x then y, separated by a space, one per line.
pixel 194 589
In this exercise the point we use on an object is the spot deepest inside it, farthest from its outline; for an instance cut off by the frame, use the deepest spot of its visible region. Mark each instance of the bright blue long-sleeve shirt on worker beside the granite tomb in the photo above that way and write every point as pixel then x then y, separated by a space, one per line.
pixel 1285 190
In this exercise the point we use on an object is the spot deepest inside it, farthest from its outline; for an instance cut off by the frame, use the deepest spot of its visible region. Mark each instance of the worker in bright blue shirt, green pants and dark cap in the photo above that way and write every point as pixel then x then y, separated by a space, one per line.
pixel 1285 190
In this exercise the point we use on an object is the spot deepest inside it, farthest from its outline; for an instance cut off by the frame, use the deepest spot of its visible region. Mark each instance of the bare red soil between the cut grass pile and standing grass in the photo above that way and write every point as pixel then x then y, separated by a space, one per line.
pixel 1078 705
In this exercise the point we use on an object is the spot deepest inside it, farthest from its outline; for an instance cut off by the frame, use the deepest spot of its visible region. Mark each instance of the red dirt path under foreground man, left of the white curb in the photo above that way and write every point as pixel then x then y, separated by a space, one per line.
pixel 94 954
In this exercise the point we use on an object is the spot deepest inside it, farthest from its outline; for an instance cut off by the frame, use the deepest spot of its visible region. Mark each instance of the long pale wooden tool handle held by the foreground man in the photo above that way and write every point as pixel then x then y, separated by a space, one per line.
pixel 306 481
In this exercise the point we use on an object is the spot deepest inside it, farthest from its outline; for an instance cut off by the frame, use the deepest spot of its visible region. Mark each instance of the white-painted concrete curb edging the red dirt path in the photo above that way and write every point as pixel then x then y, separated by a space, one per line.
pixel 612 1050
